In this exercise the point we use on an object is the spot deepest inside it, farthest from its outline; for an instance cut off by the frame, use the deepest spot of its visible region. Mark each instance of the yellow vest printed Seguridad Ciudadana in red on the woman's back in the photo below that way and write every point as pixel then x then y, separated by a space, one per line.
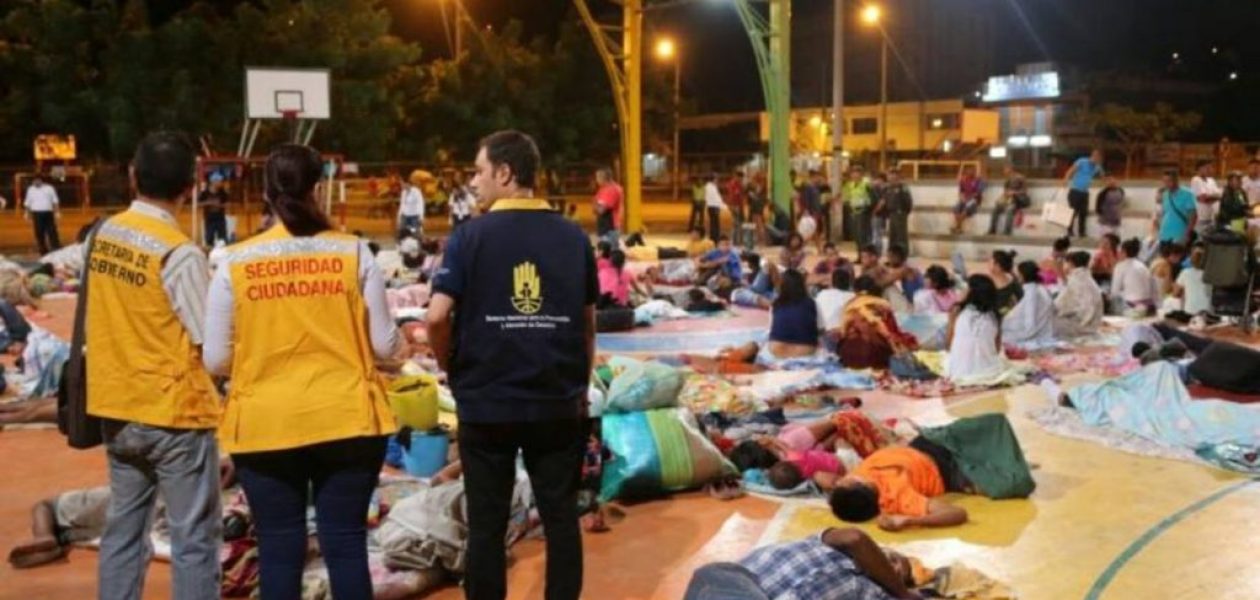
pixel 303 370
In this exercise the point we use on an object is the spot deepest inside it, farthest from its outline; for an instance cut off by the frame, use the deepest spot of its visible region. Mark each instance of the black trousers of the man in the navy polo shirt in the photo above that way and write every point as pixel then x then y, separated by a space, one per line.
pixel 554 453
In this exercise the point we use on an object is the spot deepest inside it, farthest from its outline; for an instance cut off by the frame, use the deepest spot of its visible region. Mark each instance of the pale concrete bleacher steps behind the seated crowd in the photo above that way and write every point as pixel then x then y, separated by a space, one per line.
pixel 933 219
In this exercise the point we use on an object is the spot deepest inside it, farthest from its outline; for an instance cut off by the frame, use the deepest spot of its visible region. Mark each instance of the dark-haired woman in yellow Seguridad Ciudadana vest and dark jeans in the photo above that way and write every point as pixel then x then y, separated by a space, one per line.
pixel 297 318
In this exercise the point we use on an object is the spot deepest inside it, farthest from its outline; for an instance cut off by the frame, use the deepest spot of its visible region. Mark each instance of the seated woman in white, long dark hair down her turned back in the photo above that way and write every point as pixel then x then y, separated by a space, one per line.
pixel 975 333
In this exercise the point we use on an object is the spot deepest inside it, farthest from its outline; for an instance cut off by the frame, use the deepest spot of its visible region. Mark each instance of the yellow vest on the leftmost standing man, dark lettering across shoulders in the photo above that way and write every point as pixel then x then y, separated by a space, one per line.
pixel 142 365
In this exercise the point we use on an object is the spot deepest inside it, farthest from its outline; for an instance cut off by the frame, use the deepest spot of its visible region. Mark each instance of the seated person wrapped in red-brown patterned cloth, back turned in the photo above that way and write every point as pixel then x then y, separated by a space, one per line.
pixel 869 335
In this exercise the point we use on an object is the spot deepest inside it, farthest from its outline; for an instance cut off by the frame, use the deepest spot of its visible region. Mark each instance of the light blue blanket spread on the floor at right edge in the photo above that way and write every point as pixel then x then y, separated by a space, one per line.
pixel 1155 404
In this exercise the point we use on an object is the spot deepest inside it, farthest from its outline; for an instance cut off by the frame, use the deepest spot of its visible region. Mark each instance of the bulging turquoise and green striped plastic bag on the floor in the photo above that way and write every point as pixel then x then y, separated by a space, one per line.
pixel 656 453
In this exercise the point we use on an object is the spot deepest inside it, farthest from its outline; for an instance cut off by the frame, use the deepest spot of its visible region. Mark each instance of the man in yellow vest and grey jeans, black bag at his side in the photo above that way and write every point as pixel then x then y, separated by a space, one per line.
pixel 146 379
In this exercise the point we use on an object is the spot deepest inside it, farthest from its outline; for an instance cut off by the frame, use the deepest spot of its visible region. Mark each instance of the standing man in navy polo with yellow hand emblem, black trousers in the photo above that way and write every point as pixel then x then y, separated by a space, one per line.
pixel 512 322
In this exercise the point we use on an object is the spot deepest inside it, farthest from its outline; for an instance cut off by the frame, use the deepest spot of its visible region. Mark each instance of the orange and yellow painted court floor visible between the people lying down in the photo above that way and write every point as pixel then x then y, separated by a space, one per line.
pixel 1102 525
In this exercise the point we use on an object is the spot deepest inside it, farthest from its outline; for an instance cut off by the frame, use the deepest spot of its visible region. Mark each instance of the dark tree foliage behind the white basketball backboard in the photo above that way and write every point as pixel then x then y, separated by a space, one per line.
pixel 100 71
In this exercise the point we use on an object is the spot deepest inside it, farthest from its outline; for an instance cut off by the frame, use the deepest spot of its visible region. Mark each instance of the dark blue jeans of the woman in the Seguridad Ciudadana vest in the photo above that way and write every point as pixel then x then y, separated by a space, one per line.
pixel 342 476
